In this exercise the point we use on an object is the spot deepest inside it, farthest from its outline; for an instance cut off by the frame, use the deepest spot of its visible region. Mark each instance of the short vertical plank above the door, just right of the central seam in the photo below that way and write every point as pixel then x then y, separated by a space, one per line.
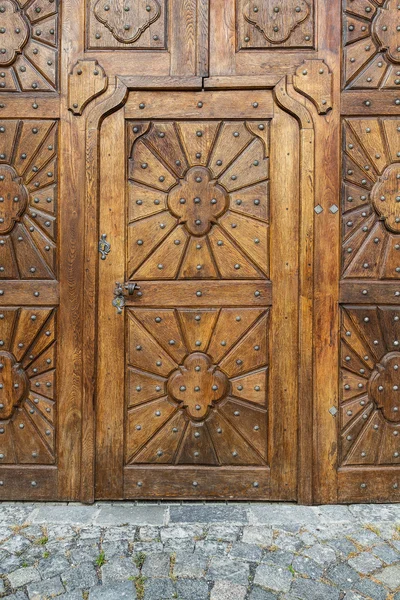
pixel 222 38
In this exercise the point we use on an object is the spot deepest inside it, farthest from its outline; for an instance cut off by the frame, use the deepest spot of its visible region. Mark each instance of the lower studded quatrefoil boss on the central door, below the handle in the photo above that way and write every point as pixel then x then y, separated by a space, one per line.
pixel 198 385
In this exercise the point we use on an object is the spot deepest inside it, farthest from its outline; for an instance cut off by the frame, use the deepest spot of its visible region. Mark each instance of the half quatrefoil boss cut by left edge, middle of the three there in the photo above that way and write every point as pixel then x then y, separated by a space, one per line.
pixel 13 198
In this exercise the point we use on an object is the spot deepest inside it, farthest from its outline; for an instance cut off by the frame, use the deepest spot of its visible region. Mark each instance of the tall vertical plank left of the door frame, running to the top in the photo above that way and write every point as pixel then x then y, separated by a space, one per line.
pixel 71 209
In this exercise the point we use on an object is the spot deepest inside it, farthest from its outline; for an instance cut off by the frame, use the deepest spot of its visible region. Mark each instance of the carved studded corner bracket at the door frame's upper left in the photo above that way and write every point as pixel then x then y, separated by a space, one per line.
pixel 87 81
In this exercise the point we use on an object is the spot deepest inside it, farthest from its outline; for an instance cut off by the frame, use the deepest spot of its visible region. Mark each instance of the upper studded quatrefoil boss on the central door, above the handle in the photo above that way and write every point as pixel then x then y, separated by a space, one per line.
pixel 198 200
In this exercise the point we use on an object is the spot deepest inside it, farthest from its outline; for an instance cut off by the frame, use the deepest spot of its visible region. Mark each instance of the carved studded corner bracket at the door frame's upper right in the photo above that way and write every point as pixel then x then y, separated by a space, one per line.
pixel 314 79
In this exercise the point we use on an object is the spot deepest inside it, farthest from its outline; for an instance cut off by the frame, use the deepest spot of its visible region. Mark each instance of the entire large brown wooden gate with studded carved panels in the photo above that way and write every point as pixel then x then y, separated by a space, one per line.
pixel 199 242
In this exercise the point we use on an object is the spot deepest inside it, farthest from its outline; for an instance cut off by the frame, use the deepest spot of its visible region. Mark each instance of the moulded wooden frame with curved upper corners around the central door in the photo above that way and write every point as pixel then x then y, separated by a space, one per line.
pixel 303 110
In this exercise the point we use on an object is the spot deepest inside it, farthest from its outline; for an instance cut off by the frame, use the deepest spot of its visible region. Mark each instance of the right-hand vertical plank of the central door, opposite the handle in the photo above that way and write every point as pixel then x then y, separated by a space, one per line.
pixel 283 390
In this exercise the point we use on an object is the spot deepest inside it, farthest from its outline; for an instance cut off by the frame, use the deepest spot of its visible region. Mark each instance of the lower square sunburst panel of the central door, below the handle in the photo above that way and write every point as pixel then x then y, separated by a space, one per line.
pixel 197 386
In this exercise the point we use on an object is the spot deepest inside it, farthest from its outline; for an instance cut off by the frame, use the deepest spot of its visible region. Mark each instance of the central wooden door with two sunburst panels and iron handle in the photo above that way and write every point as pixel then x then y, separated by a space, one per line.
pixel 198 361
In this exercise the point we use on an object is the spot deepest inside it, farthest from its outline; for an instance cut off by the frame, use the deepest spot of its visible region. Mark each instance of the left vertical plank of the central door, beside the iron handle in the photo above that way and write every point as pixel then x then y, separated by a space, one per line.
pixel 110 342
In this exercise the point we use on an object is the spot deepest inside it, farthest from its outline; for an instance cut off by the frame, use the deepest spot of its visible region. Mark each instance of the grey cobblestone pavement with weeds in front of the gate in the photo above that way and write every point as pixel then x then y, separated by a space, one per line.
pixel 197 551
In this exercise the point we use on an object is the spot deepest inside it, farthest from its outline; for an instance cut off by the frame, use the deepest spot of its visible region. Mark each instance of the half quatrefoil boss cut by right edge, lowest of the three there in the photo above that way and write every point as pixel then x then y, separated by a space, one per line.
pixel 384 386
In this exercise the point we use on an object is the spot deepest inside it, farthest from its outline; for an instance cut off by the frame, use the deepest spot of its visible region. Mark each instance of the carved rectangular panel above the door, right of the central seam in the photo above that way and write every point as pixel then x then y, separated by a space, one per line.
pixel 274 24
